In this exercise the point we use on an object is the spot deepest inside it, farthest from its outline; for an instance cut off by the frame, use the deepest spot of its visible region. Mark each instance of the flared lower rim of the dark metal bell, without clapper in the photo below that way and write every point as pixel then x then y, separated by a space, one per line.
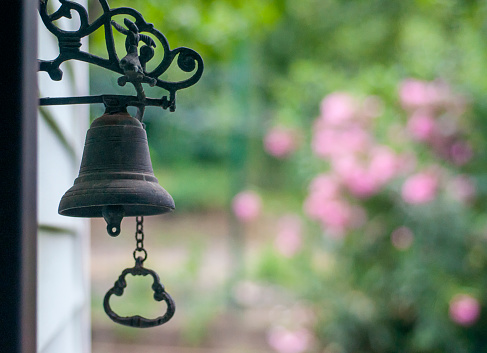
pixel 137 197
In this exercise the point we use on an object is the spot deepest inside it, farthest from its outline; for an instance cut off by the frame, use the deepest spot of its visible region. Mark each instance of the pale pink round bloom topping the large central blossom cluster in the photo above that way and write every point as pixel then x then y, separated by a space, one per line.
pixel 338 108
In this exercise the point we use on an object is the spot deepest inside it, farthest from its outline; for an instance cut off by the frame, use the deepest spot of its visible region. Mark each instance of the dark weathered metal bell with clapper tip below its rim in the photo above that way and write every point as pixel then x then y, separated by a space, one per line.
pixel 116 177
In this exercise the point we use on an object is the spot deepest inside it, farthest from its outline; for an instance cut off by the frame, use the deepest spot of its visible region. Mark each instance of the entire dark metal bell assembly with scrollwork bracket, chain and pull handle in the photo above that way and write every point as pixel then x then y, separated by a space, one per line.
pixel 116 177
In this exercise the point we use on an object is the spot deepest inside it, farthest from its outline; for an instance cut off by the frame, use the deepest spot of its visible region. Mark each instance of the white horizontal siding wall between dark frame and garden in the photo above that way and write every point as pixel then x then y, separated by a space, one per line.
pixel 63 294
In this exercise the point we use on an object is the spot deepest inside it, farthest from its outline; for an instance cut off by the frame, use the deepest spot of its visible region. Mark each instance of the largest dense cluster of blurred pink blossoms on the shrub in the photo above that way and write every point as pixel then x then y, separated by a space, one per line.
pixel 359 165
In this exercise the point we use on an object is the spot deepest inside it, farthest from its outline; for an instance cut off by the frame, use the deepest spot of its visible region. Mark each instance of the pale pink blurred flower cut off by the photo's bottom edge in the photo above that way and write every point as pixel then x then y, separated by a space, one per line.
pixel 286 341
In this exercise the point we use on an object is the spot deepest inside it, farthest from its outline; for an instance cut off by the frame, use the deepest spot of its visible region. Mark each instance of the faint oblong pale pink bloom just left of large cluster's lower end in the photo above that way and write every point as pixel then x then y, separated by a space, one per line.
pixel 288 240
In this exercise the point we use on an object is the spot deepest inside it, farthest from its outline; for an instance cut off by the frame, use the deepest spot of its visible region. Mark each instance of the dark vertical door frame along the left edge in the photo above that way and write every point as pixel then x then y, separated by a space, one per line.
pixel 18 174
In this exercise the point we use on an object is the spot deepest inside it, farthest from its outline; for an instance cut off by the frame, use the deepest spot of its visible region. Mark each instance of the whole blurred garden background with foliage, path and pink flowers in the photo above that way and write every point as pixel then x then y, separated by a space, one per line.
pixel 330 178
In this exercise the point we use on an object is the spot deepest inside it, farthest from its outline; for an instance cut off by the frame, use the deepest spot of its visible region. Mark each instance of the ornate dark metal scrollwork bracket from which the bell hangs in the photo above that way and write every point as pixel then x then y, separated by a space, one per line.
pixel 132 66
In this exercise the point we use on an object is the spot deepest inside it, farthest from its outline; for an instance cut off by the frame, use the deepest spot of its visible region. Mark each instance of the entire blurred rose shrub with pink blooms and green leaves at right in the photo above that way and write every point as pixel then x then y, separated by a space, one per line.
pixel 394 209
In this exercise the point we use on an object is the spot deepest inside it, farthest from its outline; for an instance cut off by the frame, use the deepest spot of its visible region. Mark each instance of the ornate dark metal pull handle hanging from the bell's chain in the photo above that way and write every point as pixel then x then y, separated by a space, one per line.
pixel 159 295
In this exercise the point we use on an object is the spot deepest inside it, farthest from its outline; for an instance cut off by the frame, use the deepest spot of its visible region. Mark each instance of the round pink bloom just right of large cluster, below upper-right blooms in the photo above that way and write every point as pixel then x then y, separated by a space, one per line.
pixel 420 188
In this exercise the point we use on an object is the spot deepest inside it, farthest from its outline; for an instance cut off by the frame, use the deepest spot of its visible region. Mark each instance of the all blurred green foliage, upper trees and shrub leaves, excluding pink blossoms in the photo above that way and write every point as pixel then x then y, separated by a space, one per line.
pixel 271 62
